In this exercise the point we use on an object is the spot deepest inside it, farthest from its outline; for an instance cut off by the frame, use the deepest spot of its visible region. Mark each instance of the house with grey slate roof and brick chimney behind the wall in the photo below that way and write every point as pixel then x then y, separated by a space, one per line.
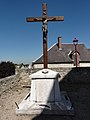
pixel 59 55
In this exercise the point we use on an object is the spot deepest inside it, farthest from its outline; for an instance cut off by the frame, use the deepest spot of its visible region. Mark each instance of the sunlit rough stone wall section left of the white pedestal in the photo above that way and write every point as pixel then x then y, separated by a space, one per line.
pixel 19 80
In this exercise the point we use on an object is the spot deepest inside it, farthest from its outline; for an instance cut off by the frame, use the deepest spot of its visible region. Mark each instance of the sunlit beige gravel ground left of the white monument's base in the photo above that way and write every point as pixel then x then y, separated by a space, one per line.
pixel 7 103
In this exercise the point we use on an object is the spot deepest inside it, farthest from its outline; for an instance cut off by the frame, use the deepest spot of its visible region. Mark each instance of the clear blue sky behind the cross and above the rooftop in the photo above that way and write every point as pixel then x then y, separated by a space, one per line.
pixel 22 42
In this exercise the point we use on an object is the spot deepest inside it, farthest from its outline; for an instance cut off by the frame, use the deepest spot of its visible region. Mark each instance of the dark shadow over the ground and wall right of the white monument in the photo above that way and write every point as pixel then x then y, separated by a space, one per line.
pixel 77 85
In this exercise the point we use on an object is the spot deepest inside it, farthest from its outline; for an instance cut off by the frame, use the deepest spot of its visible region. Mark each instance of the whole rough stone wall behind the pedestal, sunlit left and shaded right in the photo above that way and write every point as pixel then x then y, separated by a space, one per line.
pixel 68 75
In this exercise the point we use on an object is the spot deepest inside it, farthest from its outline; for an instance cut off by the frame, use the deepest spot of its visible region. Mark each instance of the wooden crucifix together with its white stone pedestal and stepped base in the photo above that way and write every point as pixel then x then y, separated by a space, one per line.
pixel 45 96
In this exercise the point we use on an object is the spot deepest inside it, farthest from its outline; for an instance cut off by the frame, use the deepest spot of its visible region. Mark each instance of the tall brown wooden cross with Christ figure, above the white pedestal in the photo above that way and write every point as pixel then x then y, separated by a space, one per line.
pixel 44 19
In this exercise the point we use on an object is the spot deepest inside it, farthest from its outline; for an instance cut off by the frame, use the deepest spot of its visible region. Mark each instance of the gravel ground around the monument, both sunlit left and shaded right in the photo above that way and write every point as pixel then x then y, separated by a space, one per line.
pixel 78 93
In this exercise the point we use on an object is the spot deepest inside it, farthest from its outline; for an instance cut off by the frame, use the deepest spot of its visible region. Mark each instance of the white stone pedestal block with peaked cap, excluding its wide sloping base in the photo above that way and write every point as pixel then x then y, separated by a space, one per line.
pixel 45 87
